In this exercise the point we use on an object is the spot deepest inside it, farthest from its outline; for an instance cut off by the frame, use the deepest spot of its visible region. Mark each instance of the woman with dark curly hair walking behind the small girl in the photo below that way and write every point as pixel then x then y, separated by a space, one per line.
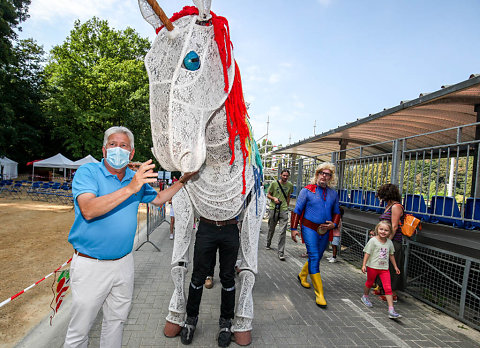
pixel 393 213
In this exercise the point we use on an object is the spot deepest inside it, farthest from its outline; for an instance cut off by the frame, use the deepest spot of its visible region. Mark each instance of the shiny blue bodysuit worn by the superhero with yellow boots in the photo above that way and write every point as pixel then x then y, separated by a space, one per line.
pixel 319 205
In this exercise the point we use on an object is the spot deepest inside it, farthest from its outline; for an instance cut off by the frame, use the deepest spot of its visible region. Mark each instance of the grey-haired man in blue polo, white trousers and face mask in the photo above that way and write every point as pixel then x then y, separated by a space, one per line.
pixel 106 197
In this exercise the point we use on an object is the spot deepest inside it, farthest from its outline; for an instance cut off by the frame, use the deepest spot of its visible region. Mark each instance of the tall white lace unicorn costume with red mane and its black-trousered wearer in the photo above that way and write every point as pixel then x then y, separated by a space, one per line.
pixel 199 122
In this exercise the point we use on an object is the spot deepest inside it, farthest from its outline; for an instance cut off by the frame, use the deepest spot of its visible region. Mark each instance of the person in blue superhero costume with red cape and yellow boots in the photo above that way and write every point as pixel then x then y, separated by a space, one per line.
pixel 317 211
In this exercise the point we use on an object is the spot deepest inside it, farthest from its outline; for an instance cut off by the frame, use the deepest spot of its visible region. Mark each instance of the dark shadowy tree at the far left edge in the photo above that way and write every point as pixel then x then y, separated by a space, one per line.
pixel 21 82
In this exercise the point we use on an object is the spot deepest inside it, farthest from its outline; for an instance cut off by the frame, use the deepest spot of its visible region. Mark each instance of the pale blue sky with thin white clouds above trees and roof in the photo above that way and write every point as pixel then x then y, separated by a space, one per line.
pixel 327 62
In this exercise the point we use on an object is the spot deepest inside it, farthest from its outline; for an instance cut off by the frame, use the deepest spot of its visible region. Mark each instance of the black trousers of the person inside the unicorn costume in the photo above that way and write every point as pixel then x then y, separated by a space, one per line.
pixel 209 238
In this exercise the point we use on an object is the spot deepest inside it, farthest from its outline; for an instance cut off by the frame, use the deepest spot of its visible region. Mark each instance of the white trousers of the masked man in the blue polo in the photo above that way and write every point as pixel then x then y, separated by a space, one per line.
pixel 95 284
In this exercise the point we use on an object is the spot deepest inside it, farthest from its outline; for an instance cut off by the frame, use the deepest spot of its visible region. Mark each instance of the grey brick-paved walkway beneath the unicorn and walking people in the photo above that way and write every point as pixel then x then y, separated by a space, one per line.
pixel 285 313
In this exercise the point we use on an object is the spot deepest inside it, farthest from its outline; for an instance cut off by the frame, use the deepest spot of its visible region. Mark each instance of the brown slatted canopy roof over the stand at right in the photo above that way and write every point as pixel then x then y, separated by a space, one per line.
pixel 451 106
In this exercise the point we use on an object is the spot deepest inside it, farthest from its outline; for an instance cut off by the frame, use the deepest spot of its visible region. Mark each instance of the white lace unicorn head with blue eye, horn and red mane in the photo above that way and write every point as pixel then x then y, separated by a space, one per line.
pixel 191 71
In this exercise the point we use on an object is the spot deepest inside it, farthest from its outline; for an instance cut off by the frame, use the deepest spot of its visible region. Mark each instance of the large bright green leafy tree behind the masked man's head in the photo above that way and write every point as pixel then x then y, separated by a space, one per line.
pixel 97 79
